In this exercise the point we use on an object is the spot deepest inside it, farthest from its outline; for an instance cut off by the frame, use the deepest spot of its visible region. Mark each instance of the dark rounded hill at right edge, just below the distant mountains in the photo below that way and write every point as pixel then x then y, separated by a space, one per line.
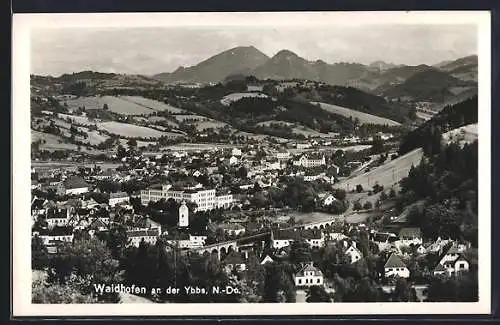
pixel 429 85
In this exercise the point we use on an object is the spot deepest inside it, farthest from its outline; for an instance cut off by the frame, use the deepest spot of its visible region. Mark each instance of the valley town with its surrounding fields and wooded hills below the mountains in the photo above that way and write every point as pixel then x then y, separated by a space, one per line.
pixel 349 211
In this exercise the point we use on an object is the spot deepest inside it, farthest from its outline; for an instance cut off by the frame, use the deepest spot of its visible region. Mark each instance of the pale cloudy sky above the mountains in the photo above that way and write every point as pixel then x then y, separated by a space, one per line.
pixel 148 51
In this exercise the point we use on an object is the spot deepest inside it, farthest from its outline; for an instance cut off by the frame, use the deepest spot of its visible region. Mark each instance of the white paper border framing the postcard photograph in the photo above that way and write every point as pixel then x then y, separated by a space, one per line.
pixel 23 23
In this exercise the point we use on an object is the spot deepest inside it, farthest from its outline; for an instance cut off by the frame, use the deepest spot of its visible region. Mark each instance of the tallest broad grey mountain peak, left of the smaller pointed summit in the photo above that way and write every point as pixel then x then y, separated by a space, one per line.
pixel 217 67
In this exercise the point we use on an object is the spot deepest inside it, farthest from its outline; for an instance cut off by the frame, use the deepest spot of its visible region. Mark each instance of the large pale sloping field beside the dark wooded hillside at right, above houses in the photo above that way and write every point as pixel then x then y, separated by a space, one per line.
pixel 387 175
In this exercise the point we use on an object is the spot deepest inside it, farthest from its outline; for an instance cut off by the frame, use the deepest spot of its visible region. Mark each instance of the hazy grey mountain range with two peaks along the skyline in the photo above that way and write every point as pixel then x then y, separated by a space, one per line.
pixel 286 65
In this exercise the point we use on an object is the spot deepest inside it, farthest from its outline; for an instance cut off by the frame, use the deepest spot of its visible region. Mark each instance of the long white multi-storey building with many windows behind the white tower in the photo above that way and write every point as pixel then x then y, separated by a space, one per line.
pixel 205 199
